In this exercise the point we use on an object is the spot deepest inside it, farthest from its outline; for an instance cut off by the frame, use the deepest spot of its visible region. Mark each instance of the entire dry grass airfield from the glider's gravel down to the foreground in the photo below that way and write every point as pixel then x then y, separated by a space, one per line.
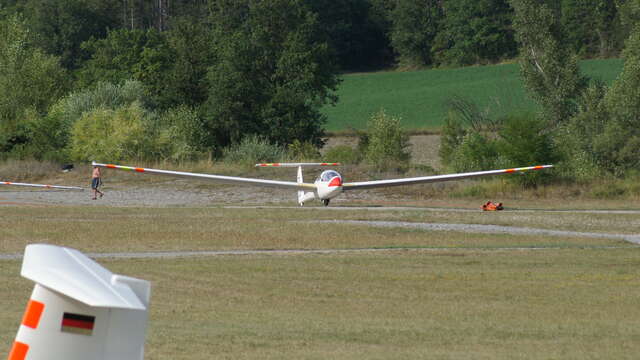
pixel 430 294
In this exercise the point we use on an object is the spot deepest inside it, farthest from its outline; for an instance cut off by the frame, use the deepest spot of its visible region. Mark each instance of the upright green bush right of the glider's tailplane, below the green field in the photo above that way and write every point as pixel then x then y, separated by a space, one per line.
pixel 387 143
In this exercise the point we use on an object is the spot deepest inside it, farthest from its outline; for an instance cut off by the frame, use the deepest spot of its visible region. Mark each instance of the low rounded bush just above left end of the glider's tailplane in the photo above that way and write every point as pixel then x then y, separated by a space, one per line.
pixel 254 149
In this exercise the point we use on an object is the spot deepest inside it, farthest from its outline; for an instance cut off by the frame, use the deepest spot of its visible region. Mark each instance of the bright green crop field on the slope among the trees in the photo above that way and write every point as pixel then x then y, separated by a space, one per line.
pixel 419 97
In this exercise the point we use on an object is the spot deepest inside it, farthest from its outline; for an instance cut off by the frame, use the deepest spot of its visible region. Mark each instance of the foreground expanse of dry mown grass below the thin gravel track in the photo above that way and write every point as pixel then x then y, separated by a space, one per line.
pixel 569 304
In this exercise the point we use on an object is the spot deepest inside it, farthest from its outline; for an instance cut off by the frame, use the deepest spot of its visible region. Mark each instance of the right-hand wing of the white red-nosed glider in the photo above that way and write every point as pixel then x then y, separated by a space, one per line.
pixel 436 178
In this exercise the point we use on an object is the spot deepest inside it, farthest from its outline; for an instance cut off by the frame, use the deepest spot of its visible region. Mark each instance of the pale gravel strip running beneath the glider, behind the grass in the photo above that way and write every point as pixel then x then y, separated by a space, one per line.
pixel 184 193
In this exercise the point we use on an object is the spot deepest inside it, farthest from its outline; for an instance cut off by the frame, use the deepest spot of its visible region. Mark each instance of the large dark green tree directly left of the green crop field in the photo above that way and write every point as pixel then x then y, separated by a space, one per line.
pixel 273 73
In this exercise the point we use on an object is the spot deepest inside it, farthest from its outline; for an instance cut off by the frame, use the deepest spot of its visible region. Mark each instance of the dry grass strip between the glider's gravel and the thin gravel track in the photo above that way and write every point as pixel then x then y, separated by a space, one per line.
pixel 110 229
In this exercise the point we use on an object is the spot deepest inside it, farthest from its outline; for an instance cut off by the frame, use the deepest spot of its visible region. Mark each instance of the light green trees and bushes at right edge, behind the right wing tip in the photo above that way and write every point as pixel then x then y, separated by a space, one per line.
pixel 590 129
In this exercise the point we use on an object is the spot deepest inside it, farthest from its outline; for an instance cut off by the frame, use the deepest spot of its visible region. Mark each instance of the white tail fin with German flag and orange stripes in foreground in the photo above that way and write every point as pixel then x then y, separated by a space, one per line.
pixel 79 310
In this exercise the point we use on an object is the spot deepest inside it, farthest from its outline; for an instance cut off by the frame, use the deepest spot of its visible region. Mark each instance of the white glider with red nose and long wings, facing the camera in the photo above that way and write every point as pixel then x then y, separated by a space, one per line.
pixel 327 186
